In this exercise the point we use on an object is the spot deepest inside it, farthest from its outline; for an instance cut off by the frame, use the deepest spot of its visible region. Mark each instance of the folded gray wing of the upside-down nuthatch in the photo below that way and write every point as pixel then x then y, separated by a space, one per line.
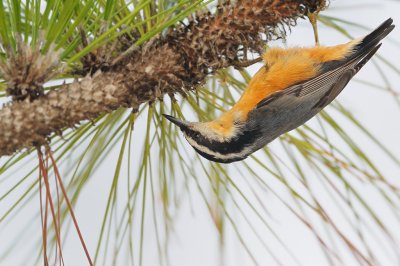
pixel 293 106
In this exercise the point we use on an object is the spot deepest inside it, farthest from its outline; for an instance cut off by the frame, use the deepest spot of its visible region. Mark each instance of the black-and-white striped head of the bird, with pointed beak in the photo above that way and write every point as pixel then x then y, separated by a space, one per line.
pixel 215 145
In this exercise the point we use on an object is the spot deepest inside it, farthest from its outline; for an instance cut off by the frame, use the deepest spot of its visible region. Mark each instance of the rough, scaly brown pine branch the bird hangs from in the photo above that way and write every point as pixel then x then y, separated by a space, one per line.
pixel 178 61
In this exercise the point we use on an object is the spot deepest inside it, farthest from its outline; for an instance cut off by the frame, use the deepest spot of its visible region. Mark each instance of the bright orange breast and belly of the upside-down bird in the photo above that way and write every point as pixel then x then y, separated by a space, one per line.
pixel 284 67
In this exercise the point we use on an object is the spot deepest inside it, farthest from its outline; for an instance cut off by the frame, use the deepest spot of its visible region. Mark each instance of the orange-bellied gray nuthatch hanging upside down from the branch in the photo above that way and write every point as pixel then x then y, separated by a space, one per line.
pixel 292 86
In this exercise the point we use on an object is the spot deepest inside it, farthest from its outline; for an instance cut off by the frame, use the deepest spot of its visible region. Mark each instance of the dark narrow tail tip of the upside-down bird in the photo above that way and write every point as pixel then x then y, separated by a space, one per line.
pixel 372 40
